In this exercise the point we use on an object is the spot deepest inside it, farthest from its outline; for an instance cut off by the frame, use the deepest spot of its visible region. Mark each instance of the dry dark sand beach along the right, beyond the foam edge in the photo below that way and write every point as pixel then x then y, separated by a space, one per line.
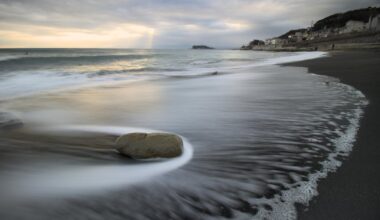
pixel 353 192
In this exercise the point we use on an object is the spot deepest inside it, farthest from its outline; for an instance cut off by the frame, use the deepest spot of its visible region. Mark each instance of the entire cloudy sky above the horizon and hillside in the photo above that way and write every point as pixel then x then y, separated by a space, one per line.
pixel 157 23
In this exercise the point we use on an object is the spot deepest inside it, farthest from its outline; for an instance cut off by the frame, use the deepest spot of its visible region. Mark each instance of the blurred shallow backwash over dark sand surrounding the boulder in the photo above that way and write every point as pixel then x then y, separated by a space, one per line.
pixel 255 133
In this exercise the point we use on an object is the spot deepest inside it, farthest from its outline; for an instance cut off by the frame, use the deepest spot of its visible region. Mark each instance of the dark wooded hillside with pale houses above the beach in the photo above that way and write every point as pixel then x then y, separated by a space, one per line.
pixel 349 29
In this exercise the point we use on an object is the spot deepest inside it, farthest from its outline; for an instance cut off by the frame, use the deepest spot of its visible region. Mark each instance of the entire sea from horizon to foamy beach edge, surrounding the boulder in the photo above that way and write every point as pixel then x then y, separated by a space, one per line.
pixel 258 136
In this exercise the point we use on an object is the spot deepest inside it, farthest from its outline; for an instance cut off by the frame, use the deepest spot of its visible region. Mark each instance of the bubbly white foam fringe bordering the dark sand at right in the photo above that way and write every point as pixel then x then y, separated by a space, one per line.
pixel 283 205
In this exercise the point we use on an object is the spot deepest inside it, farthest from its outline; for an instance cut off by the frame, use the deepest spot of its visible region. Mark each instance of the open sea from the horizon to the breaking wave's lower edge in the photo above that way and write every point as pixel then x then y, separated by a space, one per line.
pixel 31 71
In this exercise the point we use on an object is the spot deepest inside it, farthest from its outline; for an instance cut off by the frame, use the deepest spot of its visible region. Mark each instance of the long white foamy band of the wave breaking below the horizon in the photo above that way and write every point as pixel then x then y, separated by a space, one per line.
pixel 32 82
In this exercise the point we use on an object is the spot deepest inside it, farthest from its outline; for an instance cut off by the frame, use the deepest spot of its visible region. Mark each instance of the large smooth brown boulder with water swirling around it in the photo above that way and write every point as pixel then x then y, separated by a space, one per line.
pixel 150 145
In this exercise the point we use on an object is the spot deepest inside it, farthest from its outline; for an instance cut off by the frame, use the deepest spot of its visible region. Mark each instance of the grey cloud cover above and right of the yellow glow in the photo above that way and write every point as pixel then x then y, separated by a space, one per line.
pixel 169 17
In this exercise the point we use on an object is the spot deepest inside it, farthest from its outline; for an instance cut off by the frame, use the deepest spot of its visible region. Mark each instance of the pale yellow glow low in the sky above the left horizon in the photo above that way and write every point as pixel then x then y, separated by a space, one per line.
pixel 122 35
